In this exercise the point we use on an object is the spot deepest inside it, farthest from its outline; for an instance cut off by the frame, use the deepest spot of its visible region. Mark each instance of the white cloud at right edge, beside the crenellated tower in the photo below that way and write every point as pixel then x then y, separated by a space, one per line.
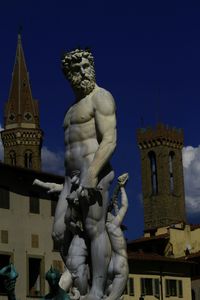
pixel 191 166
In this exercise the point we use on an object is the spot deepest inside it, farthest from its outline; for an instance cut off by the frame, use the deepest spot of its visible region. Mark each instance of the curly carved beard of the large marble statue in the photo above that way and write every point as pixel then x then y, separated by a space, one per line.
pixel 84 85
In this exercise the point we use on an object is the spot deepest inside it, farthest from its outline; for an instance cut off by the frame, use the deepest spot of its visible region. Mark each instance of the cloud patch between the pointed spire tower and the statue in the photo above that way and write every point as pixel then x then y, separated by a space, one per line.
pixel 52 162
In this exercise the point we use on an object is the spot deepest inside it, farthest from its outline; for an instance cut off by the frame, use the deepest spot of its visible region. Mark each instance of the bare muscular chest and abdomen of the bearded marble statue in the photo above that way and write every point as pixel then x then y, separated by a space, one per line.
pixel 80 135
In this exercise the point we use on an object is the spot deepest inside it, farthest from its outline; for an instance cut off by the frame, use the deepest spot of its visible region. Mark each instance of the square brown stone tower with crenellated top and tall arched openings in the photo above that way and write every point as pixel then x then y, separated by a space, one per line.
pixel 162 176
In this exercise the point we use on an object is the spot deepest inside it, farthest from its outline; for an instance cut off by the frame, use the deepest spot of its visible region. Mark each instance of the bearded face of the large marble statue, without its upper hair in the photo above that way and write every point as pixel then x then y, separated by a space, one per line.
pixel 82 76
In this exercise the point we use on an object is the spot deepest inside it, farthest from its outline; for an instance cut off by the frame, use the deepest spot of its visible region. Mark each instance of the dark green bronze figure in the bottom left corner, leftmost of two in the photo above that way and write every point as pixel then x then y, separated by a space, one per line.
pixel 9 276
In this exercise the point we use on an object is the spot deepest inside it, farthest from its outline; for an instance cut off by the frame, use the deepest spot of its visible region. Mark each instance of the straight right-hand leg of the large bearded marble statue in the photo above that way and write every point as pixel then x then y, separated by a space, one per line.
pixel 94 221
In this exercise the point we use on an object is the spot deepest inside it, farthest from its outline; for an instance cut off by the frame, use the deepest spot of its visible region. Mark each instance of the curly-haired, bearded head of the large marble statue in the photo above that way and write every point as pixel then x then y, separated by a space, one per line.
pixel 78 67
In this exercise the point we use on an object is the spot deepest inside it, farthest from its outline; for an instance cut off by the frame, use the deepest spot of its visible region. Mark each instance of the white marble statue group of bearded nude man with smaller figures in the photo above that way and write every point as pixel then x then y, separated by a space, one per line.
pixel 90 238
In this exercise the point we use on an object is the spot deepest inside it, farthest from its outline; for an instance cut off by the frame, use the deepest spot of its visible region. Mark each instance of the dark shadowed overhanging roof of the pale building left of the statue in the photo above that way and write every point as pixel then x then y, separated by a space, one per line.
pixel 20 180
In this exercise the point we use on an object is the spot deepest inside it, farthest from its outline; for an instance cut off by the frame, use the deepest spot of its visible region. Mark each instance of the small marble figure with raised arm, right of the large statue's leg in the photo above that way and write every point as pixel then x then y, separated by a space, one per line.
pixel 118 267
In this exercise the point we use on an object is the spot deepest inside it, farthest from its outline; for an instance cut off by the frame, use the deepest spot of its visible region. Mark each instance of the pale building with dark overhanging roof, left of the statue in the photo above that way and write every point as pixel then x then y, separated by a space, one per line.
pixel 26 221
